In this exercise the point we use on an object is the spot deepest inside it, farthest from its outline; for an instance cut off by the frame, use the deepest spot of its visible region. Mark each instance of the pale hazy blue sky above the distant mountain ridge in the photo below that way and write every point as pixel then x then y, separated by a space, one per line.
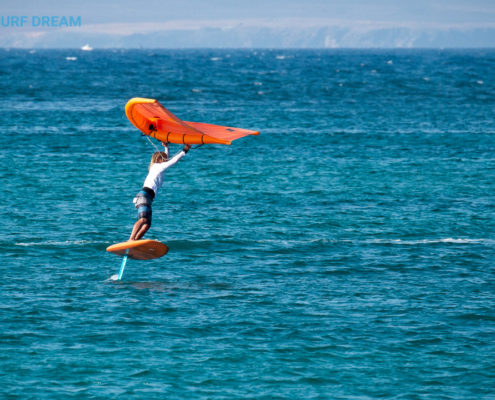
pixel 433 12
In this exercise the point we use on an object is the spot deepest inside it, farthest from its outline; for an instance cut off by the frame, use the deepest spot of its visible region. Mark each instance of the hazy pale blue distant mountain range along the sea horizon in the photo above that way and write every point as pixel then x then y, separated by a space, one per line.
pixel 253 34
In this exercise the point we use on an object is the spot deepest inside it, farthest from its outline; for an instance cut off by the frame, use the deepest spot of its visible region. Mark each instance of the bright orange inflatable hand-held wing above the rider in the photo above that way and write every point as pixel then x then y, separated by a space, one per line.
pixel 154 120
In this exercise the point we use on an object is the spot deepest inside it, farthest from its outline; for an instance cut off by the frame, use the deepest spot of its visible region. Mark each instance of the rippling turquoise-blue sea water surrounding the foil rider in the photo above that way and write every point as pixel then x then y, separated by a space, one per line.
pixel 346 252
